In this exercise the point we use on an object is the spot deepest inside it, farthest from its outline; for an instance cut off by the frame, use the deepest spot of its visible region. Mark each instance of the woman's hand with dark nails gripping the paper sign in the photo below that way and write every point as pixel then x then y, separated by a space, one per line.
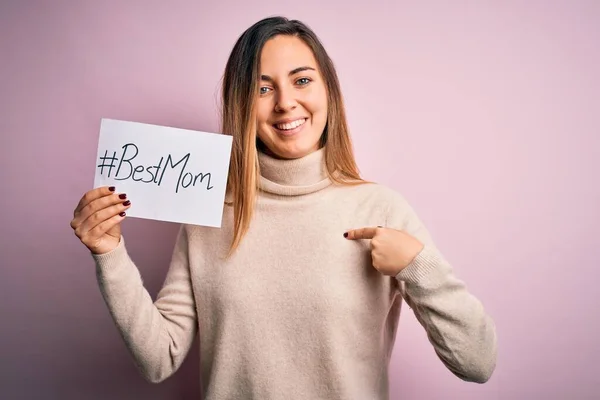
pixel 97 218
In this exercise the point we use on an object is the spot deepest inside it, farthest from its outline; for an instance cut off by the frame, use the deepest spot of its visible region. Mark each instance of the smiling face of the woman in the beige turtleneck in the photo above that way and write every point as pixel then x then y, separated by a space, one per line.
pixel 292 100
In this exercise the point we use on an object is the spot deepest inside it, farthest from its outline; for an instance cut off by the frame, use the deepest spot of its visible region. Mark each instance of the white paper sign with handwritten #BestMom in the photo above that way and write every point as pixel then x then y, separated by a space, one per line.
pixel 168 174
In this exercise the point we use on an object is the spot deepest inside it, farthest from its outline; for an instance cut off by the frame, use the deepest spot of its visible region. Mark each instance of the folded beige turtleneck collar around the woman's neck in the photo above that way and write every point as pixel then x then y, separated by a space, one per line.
pixel 293 177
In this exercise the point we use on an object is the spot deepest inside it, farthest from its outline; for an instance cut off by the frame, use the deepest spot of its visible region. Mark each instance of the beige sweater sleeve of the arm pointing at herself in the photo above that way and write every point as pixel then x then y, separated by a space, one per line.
pixel 461 332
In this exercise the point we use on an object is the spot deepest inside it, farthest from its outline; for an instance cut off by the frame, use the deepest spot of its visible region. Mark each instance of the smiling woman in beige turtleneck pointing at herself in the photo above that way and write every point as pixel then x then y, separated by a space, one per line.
pixel 298 295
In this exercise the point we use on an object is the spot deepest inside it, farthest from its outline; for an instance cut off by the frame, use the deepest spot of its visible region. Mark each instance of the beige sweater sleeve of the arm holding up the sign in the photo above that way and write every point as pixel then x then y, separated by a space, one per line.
pixel 158 334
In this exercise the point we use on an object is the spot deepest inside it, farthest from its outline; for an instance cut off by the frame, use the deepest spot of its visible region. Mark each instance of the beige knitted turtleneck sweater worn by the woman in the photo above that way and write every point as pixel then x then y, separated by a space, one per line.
pixel 298 311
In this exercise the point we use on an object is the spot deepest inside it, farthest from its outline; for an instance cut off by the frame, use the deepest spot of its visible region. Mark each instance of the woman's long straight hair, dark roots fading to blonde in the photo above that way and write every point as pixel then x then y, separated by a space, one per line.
pixel 239 93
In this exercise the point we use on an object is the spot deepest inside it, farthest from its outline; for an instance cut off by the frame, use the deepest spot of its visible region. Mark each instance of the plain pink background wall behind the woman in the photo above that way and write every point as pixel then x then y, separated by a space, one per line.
pixel 485 115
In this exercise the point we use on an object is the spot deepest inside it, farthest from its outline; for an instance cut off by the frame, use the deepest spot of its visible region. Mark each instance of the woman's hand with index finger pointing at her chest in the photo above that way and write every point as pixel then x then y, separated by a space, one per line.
pixel 391 250
